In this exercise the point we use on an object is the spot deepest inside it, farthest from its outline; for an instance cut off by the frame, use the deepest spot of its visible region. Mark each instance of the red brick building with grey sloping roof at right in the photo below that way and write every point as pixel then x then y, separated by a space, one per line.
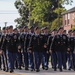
pixel 69 19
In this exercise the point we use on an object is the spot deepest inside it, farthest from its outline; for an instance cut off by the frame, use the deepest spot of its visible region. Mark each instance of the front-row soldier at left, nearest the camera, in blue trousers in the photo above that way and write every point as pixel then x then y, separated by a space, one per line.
pixel 11 45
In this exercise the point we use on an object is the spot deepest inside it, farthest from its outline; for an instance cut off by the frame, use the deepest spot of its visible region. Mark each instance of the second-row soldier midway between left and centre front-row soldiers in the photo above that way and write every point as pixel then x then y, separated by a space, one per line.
pixel 24 45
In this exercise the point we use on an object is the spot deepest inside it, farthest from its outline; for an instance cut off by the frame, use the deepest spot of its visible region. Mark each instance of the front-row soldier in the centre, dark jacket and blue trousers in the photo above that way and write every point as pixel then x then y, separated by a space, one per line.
pixel 36 46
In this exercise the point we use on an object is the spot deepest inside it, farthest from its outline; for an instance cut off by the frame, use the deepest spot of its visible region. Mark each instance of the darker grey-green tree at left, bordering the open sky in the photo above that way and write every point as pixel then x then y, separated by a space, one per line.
pixel 24 13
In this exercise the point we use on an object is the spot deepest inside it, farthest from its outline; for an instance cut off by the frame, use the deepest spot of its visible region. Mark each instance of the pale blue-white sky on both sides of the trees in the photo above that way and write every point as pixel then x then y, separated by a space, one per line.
pixel 8 12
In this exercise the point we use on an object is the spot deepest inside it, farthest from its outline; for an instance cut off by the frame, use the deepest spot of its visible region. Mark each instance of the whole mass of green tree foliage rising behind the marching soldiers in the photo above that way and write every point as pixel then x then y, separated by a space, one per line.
pixel 42 12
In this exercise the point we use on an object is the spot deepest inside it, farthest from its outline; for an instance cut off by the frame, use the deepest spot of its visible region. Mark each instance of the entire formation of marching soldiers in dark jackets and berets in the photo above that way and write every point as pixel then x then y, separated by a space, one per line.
pixel 32 47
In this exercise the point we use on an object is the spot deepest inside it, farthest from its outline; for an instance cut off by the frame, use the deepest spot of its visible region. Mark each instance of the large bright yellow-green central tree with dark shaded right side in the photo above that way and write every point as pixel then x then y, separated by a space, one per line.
pixel 42 10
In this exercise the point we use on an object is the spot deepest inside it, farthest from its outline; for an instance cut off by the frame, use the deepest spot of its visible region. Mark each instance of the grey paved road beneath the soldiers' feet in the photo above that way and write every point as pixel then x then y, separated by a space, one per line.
pixel 42 72
